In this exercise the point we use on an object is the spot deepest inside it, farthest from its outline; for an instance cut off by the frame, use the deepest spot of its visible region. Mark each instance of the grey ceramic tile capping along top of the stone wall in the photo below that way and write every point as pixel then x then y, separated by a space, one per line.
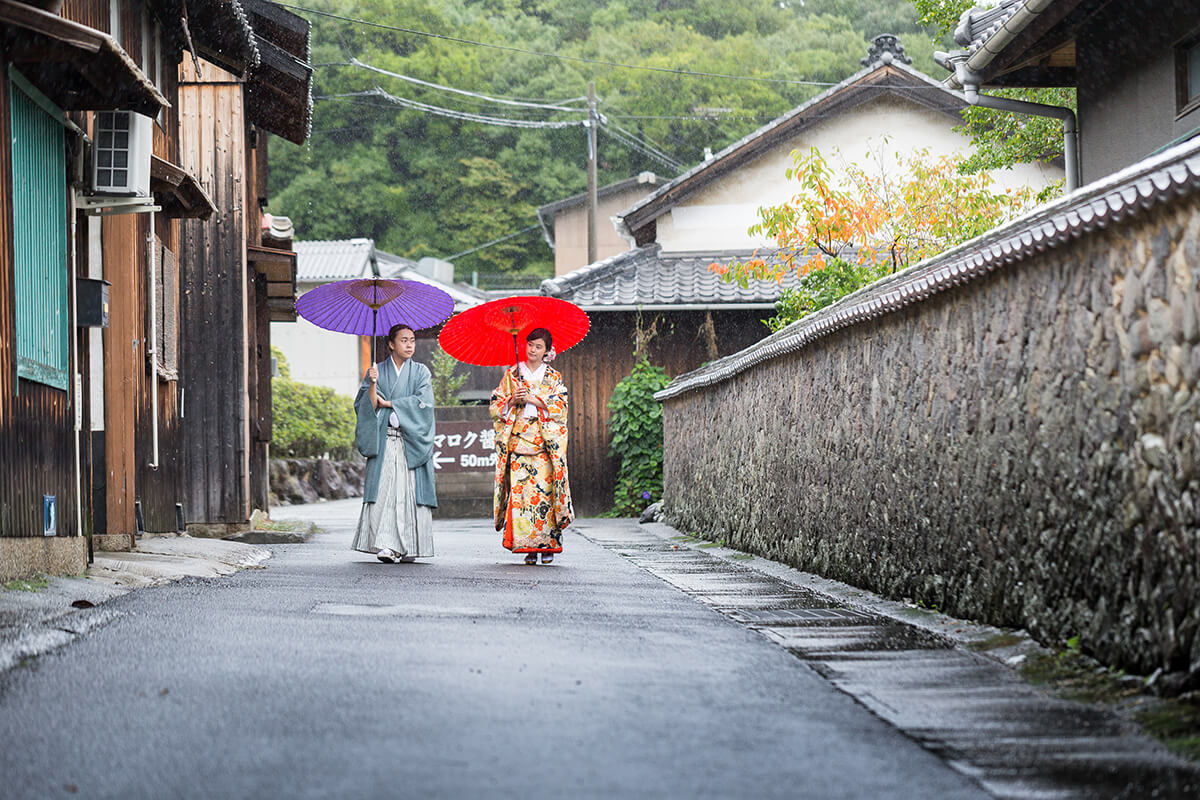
pixel 1136 189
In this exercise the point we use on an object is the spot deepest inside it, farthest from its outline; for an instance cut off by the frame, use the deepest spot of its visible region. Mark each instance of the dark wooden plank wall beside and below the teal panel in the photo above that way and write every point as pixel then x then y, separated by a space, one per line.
pixel 37 422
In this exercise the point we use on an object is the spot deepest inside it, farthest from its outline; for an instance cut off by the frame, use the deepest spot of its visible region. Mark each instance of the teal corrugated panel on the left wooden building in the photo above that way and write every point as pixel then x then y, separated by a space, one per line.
pixel 40 242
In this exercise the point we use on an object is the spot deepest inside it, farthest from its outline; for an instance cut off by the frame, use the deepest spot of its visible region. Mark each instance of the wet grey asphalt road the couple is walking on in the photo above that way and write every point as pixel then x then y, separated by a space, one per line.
pixel 471 676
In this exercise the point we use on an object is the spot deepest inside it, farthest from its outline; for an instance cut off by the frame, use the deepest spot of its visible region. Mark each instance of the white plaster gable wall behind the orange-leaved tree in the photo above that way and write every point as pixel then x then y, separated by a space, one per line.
pixel 718 216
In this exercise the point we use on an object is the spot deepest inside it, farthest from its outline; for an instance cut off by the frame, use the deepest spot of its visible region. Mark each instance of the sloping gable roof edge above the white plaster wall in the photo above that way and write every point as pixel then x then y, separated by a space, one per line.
pixel 867 85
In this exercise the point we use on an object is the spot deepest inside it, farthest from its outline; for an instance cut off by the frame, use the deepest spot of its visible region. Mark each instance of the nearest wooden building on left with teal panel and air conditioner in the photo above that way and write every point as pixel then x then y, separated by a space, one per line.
pixel 92 281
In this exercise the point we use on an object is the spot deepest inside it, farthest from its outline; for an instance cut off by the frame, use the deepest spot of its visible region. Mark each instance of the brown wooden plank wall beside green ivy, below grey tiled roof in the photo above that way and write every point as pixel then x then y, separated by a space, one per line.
pixel 593 369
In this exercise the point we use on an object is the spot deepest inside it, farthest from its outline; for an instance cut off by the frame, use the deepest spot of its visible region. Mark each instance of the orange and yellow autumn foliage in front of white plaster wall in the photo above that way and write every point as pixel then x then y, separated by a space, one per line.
pixel 875 219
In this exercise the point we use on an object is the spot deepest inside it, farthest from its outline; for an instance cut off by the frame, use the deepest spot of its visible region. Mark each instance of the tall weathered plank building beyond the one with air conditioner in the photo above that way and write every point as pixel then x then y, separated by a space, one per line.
pixel 238 284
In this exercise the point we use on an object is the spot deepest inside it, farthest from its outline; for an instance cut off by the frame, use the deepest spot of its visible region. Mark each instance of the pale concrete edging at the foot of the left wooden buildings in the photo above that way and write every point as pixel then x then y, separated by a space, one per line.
pixel 35 623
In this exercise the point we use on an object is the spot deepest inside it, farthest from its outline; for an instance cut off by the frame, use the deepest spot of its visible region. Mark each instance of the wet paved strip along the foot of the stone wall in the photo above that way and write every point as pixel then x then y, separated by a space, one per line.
pixel 1011 738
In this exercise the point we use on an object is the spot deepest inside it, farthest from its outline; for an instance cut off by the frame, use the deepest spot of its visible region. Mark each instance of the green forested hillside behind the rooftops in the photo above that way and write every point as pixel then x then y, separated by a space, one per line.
pixel 441 125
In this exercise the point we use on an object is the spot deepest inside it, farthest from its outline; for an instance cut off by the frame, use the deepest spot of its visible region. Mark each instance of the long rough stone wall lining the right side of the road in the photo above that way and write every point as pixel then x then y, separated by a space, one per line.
pixel 1022 449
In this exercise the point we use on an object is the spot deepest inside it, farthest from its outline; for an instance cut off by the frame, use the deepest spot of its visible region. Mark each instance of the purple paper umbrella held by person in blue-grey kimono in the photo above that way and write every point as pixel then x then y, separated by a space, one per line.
pixel 371 306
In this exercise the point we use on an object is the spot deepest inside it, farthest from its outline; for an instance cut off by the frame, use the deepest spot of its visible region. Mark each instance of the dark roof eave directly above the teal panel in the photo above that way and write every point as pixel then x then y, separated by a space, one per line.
pixel 77 68
